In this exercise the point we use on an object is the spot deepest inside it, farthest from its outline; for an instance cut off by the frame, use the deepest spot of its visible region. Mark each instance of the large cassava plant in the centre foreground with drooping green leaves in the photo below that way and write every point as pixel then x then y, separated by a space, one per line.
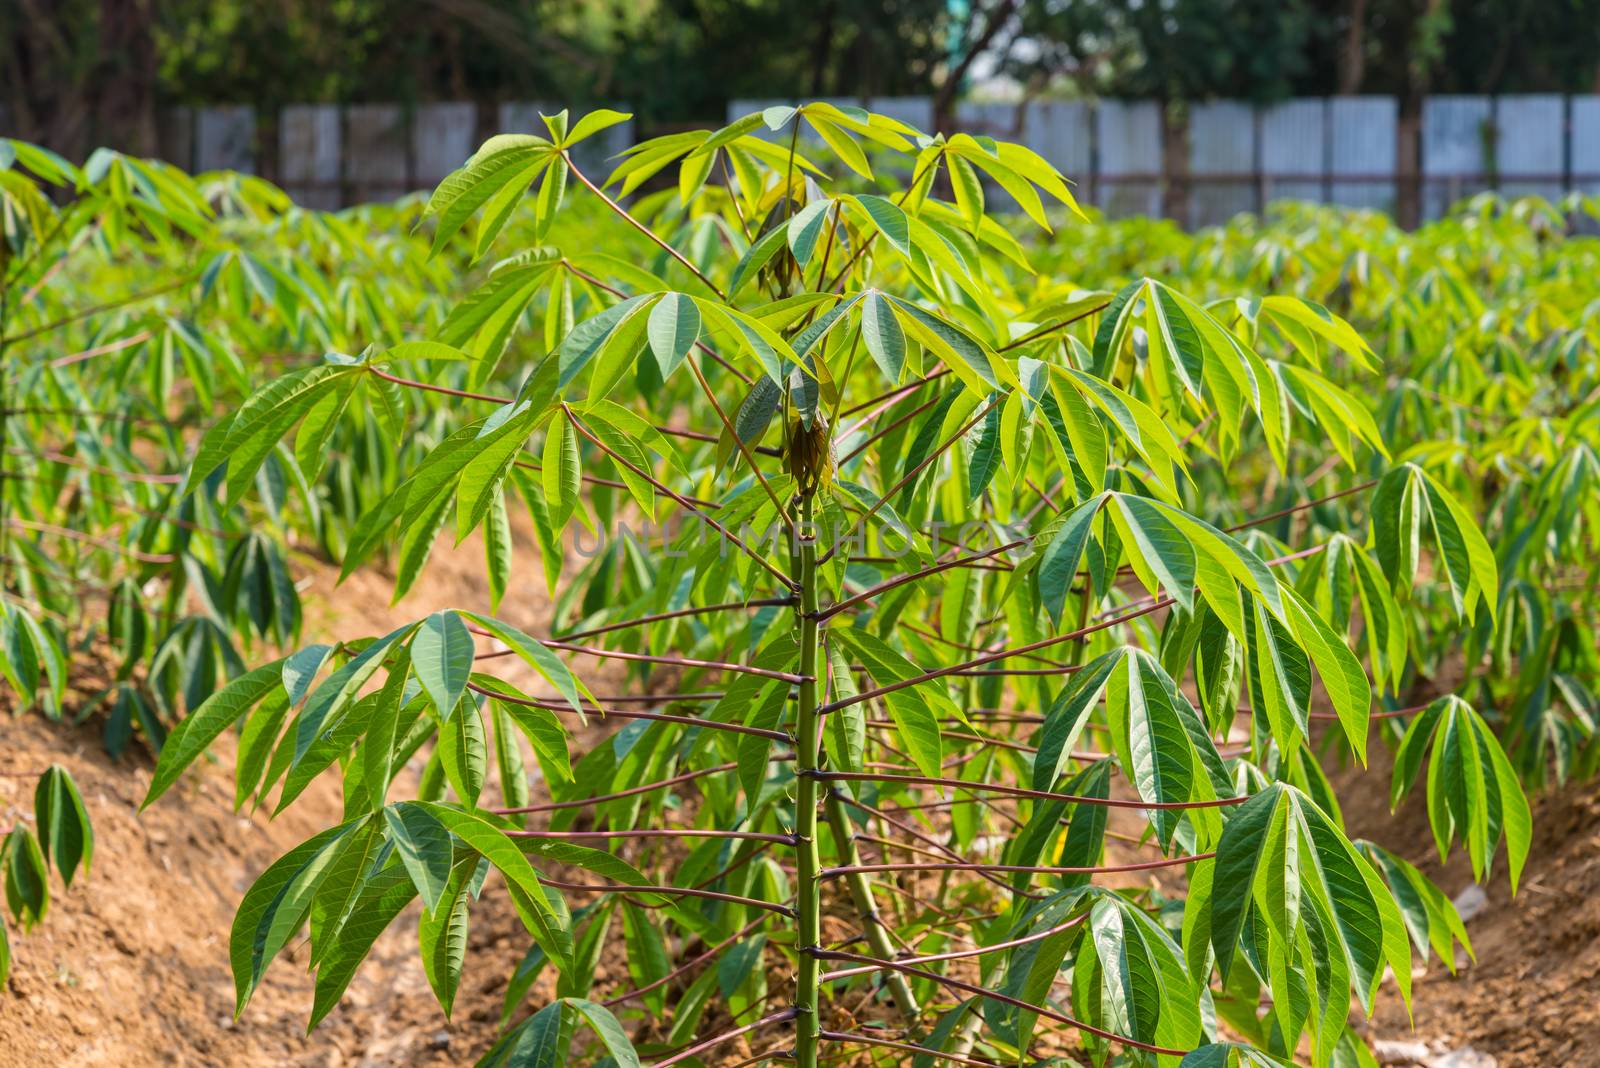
pixel 954 728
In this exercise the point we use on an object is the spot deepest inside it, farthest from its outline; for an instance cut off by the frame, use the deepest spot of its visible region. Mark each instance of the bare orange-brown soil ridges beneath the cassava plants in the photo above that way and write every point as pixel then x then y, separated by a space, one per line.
pixel 130 968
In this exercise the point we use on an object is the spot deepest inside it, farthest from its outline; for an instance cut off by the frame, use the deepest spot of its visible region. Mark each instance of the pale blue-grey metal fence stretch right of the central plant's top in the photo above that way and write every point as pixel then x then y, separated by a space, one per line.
pixel 1239 157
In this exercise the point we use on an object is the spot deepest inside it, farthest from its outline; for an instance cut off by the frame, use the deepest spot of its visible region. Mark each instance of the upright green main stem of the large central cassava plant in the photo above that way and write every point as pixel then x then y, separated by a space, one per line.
pixel 807 879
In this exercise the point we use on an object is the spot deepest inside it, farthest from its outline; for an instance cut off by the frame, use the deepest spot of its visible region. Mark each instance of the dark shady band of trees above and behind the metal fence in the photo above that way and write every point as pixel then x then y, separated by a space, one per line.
pixel 87 73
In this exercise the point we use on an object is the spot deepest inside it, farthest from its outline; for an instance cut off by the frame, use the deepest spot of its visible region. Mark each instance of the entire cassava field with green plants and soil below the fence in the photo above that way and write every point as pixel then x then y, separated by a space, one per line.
pixel 809 596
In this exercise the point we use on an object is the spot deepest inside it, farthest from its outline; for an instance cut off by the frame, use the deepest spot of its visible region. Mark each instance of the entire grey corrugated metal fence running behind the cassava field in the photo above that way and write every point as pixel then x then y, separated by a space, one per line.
pixel 1228 157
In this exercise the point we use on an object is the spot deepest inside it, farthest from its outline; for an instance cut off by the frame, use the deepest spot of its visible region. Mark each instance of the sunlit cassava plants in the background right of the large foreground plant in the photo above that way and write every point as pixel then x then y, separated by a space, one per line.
pixel 1495 385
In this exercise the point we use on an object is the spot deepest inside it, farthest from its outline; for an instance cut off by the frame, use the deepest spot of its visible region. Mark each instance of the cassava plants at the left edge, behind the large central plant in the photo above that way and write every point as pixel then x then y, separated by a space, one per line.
pixel 127 295
